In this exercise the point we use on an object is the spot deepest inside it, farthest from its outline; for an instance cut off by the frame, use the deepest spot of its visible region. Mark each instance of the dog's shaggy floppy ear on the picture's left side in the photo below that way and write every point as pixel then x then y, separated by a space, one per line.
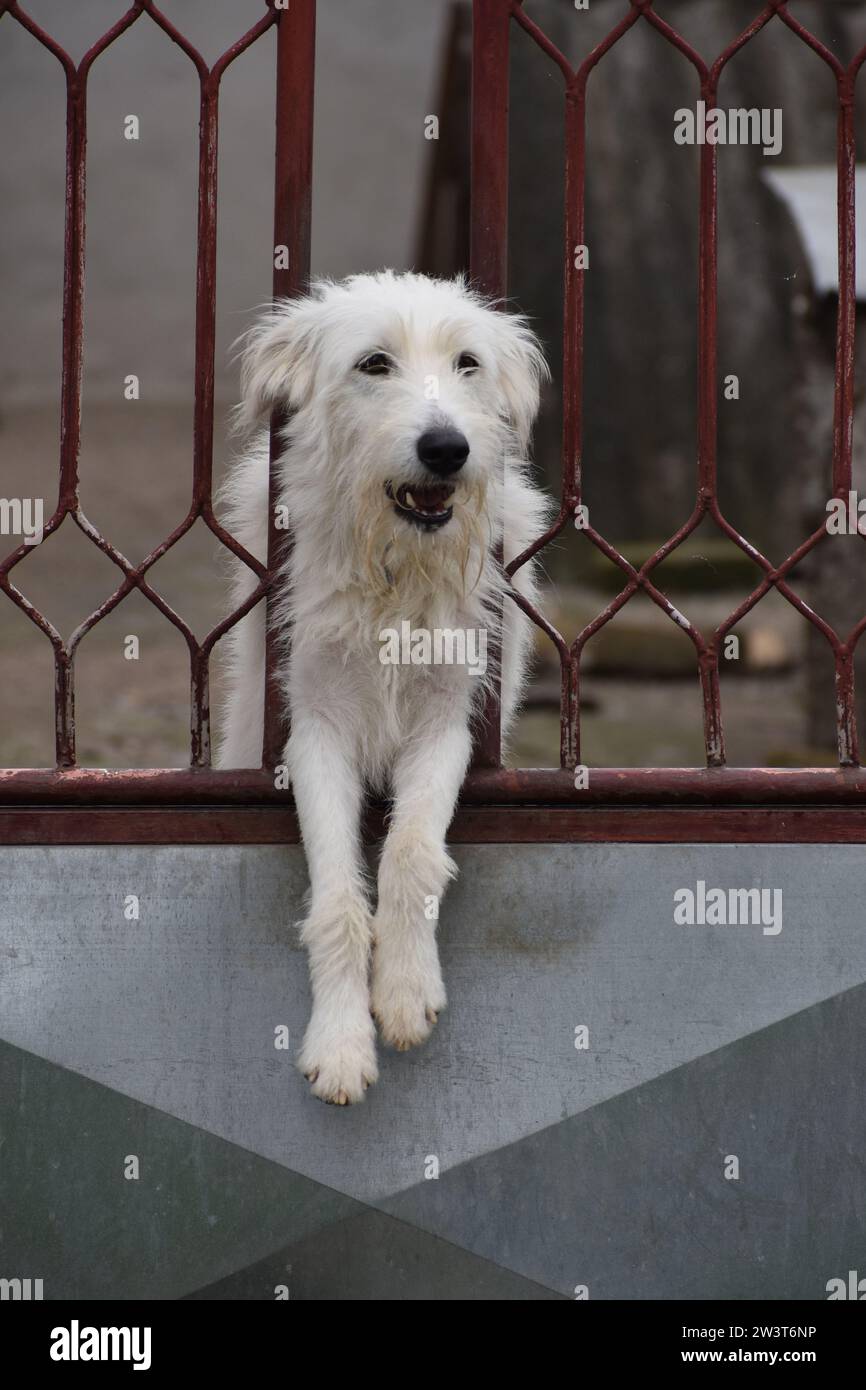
pixel 279 361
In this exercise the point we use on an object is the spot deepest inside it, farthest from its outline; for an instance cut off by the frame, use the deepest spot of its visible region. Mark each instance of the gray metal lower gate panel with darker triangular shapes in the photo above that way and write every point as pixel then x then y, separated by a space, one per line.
pixel 557 1167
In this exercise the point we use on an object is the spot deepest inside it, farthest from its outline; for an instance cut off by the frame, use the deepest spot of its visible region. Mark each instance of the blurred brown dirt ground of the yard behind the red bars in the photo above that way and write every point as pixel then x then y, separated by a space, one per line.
pixel 137 466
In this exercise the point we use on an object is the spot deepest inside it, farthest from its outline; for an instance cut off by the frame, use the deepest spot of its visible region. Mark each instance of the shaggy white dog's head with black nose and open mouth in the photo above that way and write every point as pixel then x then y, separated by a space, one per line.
pixel 405 395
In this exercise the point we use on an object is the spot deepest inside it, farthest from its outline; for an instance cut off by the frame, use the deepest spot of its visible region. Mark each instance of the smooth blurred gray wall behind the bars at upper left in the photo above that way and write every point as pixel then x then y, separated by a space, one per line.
pixel 376 72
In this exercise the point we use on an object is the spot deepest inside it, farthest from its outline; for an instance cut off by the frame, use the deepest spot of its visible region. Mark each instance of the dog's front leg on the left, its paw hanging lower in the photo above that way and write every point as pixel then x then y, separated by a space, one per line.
pixel 338 1053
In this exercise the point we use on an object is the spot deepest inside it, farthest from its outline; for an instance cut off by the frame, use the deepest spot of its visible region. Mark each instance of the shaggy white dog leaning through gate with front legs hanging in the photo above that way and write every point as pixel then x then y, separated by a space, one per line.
pixel 411 404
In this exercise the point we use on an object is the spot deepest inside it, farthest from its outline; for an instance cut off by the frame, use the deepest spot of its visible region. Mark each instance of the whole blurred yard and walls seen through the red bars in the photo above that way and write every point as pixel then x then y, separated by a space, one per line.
pixel 384 195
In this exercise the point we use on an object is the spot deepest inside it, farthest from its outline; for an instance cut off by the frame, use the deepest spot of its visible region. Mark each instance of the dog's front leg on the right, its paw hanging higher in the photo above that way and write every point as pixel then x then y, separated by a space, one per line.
pixel 407 989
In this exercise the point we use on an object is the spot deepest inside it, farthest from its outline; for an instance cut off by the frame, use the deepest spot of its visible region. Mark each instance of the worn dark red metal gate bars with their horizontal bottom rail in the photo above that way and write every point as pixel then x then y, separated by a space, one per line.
pixel 507 797
